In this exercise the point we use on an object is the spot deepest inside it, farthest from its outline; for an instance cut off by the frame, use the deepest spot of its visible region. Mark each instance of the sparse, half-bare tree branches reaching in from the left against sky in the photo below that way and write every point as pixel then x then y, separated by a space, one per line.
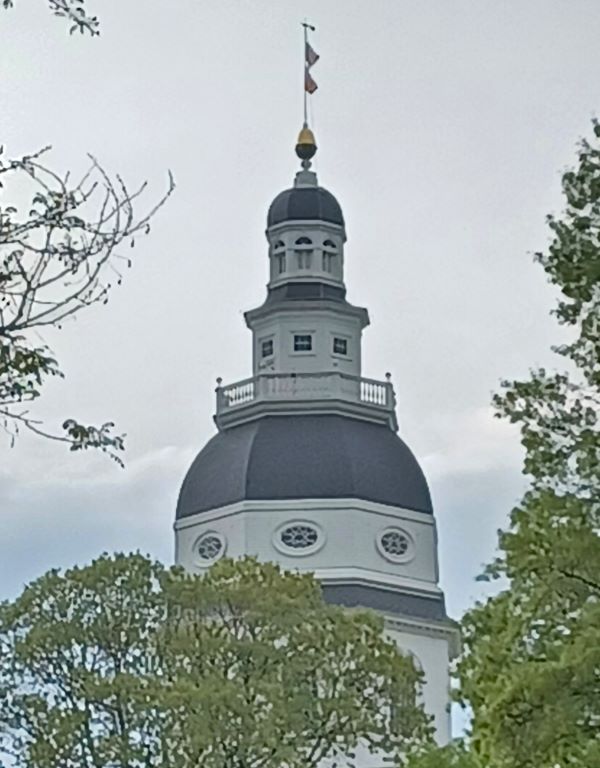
pixel 59 254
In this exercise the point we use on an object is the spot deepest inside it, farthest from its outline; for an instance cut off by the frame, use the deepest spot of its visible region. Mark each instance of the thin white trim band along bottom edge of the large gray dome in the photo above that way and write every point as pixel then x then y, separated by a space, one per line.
pixel 302 506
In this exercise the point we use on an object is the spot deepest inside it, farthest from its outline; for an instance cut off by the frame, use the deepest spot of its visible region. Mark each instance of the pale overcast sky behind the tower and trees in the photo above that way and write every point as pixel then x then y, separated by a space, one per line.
pixel 443 129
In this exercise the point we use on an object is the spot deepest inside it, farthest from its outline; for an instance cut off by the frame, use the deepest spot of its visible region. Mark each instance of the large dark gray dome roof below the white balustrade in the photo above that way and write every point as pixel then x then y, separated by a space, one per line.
pixel 304 457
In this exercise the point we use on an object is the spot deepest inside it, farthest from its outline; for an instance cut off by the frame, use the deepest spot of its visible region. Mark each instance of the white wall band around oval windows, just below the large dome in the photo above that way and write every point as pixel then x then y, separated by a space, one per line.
pixel 348 543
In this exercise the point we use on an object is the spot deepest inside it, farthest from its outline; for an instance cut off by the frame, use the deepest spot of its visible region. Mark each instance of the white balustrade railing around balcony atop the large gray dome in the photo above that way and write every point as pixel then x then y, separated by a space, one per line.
pixel 305 387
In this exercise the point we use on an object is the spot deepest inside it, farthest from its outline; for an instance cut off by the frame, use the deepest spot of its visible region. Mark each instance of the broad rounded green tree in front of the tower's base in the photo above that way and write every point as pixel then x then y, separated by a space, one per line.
pixel 125 664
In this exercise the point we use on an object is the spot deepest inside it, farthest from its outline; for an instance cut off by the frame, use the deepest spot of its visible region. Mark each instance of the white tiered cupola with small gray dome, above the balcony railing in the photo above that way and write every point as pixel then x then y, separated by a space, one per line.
pixel 306 326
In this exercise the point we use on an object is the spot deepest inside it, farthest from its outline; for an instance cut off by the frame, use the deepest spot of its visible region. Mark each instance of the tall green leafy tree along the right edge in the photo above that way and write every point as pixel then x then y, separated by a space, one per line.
pixel 531 666
